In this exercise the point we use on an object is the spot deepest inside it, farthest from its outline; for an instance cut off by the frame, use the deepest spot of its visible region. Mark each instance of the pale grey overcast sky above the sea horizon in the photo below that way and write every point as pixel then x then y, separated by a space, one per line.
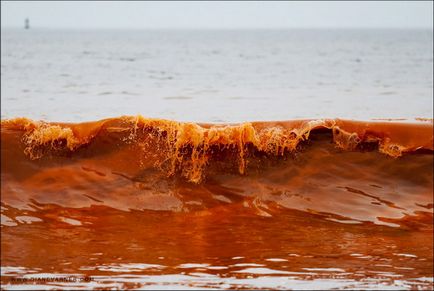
pixel 191 14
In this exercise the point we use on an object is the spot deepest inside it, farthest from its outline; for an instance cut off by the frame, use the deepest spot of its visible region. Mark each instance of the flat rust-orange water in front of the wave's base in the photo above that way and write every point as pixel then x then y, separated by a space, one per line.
pixel 229 249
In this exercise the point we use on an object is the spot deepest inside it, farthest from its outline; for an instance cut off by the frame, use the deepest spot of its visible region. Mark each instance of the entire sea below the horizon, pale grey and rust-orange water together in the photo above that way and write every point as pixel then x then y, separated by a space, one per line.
pixel 148 204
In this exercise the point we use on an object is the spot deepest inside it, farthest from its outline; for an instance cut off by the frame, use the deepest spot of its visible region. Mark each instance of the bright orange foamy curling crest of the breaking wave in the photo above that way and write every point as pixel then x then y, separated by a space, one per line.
pixel 189 147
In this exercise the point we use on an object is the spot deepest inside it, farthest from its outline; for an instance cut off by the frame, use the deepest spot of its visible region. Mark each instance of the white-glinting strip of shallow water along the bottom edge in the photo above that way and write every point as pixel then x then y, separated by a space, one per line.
pixel 266 278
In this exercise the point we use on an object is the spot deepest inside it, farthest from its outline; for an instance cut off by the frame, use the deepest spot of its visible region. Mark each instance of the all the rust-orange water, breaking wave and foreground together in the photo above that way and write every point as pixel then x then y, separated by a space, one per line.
pixel 135 202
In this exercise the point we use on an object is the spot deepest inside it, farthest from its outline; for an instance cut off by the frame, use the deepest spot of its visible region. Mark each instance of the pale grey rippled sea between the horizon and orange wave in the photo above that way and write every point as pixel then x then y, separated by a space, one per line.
pixel 216 76
